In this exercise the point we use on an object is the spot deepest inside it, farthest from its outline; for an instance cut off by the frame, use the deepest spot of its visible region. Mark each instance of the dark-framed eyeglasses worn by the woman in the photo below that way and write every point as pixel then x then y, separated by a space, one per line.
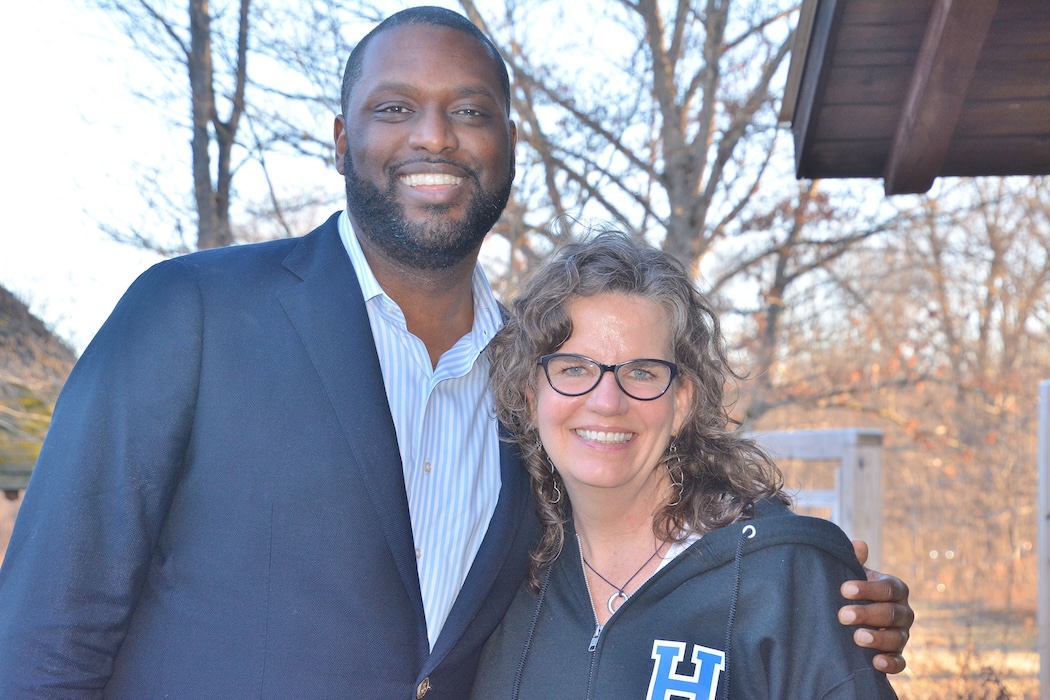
pixel 576 375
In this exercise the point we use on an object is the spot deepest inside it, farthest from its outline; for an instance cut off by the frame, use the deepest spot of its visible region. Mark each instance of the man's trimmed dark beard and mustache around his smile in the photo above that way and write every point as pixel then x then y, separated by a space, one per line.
pixel 437 244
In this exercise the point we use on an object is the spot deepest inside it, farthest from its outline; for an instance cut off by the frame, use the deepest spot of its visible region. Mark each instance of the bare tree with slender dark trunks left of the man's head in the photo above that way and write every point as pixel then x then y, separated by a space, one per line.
pixel 204 51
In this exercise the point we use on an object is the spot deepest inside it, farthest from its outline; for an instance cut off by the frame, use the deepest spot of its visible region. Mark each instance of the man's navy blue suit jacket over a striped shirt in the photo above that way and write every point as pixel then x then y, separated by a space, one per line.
pixel 219 511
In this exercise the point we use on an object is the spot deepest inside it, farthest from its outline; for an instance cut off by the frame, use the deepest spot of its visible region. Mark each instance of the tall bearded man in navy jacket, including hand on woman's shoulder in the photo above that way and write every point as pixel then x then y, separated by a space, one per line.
pixel 275 473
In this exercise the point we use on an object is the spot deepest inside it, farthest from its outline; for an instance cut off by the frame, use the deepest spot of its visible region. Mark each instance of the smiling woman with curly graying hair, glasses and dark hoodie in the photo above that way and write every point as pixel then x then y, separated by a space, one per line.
pixel 669 564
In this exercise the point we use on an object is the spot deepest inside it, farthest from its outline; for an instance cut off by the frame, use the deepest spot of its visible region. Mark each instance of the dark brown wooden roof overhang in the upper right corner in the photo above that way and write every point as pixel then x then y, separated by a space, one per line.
pixel 910 91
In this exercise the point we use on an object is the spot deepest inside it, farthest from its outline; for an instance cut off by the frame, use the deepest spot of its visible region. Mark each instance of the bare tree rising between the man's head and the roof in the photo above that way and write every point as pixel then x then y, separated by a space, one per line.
pixel 656 114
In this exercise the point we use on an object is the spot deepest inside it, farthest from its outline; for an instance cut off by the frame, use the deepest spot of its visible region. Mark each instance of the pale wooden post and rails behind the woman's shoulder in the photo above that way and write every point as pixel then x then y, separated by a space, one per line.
pixel 856 499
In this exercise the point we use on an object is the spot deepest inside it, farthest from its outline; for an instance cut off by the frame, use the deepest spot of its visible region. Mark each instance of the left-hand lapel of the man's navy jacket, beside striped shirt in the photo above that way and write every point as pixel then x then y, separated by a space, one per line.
pixel 328 311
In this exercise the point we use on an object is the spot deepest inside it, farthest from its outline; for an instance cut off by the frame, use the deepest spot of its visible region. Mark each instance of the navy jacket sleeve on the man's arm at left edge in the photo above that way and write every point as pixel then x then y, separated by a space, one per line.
pixel 100 493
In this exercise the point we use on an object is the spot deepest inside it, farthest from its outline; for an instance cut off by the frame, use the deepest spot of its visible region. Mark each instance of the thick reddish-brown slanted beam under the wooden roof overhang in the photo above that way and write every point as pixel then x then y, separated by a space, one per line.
pixel 955 36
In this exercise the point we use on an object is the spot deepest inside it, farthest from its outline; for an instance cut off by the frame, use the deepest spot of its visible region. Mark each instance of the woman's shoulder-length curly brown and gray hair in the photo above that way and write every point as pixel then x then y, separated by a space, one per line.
pixel 723 472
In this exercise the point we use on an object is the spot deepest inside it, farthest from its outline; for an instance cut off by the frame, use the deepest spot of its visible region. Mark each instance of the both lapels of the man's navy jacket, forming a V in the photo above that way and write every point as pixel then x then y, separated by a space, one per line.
pixel 328 311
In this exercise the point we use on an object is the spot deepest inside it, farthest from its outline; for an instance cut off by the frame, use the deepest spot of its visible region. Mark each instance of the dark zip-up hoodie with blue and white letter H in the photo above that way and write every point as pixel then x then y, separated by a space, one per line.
pixel 748 611
